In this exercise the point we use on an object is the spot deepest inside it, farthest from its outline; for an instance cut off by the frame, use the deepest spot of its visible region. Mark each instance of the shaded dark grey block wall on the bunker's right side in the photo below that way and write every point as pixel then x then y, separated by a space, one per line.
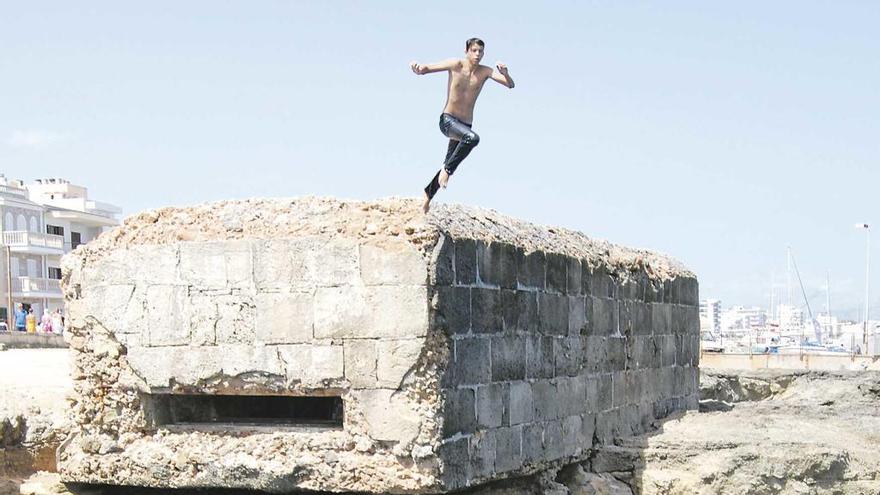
pixel 551 354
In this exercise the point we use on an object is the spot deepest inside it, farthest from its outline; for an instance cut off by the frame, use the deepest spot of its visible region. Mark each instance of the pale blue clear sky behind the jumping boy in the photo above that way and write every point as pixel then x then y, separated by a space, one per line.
pixel 717 132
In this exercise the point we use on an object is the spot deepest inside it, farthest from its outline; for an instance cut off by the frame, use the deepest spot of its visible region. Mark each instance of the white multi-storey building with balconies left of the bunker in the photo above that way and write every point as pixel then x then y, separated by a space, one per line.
pixel 40 222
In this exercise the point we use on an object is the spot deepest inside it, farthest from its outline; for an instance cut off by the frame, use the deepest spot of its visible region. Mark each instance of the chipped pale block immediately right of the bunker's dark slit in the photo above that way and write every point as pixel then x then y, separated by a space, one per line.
pixel 388 415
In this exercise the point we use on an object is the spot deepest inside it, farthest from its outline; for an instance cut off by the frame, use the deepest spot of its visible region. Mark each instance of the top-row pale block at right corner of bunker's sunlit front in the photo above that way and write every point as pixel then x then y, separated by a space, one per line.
pixel 392 264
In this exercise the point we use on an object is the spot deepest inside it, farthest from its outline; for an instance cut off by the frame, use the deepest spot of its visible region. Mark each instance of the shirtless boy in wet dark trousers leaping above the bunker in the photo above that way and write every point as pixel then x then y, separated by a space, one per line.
pixel 466 78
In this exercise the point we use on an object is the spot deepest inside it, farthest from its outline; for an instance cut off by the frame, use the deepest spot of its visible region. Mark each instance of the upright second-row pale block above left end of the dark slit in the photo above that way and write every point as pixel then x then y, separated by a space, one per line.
pixel 169 324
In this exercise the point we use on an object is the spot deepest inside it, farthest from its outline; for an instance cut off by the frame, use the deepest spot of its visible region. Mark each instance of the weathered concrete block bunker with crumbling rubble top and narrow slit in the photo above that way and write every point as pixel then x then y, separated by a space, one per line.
pixel 350 346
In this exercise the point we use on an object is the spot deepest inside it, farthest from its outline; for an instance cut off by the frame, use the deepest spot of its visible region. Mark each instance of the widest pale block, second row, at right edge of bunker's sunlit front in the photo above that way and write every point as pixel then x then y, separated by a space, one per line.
pixel 350 311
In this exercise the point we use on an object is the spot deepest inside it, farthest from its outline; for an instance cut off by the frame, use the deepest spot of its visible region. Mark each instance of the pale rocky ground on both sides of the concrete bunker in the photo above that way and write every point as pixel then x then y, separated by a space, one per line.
pixel 769 432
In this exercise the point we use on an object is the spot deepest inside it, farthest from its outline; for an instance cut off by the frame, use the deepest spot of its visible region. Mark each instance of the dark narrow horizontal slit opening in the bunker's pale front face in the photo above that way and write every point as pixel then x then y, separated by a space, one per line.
pixel 247 410
